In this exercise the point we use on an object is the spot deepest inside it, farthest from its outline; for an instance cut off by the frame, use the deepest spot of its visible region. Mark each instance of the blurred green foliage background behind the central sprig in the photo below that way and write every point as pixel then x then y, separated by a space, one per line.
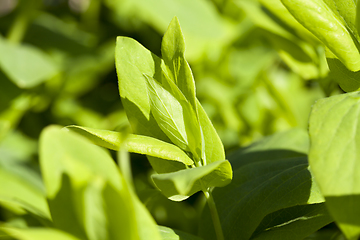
pixel 257 72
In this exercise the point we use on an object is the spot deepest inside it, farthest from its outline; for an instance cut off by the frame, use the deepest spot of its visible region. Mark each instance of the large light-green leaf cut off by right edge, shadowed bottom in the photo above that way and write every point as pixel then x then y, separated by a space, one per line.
pixel 334 157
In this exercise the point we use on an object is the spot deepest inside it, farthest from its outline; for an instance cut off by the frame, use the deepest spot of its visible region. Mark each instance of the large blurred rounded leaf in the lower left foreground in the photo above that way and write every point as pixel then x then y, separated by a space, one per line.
pixel 75 172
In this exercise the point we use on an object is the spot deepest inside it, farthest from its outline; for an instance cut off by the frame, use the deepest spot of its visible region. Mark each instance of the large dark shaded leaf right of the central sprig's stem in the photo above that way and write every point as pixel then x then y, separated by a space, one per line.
pixel 271 177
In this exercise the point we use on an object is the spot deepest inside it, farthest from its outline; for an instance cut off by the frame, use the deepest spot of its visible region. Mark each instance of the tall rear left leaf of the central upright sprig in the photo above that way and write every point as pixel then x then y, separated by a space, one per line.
pixel 132 62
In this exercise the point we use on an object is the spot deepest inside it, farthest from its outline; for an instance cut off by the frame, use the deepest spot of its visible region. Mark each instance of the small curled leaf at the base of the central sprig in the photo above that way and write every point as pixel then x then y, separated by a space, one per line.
pixel 181 184
